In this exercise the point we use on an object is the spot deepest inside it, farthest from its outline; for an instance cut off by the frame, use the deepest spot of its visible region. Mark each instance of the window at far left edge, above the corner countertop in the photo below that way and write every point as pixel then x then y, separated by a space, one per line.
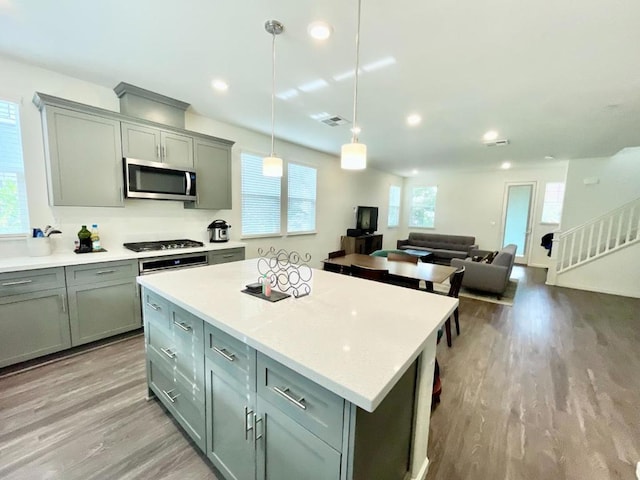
pixel 14 216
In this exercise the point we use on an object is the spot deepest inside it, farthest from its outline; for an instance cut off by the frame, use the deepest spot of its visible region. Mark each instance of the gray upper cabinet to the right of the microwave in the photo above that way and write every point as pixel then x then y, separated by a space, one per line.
pixel 213 170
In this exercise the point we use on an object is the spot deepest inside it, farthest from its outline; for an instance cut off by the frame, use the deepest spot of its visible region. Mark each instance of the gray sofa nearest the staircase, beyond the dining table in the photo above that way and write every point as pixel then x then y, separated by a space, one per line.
pixel 489 277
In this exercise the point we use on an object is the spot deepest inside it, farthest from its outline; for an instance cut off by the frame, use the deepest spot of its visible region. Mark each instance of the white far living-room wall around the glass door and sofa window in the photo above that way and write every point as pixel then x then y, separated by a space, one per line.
pixel 471 203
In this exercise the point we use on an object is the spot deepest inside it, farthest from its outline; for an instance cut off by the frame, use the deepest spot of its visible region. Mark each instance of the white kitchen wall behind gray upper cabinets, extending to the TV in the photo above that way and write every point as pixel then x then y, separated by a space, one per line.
pixel 338 191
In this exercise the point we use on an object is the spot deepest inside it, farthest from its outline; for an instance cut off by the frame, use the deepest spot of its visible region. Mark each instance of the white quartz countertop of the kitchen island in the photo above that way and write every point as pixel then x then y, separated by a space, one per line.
pixel 354 337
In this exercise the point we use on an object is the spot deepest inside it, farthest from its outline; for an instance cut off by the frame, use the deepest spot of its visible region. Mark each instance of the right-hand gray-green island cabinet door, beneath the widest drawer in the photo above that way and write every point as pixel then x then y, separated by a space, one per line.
pixel 285 449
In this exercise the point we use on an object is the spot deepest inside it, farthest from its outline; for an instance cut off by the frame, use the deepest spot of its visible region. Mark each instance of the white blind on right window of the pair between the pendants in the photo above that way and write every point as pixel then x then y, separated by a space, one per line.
pixel 301 198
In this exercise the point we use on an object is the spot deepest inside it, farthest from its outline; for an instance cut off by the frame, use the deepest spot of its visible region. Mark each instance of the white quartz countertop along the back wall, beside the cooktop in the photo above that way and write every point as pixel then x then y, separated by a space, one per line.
pixel 62 259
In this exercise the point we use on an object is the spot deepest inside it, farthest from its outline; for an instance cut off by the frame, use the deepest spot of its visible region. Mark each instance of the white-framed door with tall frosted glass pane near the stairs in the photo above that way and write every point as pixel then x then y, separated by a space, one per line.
pixel 517 218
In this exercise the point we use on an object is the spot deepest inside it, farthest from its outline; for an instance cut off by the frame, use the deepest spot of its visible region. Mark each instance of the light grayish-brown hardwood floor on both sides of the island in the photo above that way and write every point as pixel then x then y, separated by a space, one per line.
pixel 546 389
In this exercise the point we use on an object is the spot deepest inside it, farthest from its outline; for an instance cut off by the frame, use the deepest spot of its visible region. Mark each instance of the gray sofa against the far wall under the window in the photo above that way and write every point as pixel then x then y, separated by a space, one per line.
pixel 443 247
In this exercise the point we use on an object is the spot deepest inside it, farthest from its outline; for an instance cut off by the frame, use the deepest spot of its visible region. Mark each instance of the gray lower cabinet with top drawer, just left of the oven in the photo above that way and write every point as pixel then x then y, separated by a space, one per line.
pixel 103 300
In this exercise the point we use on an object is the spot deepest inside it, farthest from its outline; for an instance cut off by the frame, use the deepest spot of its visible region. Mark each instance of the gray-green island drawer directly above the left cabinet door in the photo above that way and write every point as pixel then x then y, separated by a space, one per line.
pixel 236 358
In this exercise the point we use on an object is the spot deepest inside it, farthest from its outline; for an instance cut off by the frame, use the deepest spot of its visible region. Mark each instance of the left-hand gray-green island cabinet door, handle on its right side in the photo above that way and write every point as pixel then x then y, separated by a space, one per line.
pixel 230 425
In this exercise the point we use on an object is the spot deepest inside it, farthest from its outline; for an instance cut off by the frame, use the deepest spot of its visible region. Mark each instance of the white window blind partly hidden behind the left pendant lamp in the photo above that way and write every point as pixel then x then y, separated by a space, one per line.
pixel 260 199
